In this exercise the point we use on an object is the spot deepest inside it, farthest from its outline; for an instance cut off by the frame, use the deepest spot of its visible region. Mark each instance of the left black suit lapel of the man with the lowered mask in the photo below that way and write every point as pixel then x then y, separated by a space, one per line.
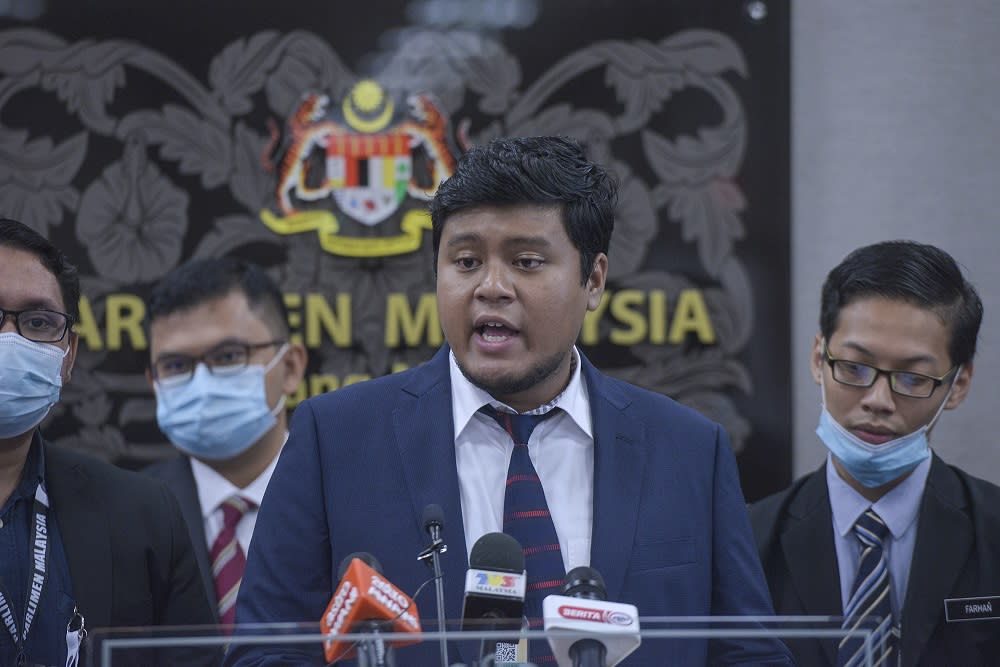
pixel 808 547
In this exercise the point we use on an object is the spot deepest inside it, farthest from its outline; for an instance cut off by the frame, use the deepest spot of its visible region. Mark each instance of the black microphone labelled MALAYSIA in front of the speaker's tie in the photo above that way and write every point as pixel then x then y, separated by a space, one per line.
pixel 494 587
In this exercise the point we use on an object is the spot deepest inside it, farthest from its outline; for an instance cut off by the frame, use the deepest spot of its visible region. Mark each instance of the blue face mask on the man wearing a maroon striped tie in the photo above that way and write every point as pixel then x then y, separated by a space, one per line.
pixel 216 416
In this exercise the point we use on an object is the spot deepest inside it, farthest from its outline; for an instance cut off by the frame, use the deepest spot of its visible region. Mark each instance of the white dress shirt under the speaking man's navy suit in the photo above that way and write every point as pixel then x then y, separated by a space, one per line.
pixel 561 449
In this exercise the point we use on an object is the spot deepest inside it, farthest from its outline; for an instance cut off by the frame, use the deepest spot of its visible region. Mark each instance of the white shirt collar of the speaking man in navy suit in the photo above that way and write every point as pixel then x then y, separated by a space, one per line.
pixel 467 398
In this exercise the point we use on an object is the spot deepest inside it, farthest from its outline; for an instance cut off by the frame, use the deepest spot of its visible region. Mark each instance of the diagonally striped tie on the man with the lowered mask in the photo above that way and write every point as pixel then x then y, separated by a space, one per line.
pixel 869 606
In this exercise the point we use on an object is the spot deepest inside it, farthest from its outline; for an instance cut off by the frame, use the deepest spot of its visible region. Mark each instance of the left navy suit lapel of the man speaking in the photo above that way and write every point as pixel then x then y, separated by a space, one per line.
pixel 424 435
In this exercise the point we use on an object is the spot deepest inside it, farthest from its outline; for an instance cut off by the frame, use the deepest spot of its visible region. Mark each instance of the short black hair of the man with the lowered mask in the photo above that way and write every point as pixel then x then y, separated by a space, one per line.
pixel 915 273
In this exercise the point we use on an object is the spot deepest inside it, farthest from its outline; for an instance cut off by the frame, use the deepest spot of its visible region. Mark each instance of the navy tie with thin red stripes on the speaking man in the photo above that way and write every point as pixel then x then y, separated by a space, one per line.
pixel 526 518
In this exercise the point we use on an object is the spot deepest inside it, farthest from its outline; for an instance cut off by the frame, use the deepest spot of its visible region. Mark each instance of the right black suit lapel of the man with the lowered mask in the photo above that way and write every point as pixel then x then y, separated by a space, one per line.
pixel 944 538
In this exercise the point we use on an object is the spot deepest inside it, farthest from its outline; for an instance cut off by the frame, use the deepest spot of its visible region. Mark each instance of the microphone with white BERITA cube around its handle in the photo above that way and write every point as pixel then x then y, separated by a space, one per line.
pixel 583 608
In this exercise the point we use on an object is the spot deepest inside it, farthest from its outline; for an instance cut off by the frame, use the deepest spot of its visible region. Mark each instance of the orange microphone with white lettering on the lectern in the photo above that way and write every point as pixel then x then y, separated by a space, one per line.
pixel 366 602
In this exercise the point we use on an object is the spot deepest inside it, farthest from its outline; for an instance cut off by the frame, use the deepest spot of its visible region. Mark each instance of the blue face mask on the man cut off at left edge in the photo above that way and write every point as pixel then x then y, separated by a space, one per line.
pixel 30 381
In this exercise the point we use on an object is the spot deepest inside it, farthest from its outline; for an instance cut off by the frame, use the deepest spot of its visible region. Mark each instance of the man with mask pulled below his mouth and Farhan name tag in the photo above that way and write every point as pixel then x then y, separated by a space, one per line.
pixel 886 535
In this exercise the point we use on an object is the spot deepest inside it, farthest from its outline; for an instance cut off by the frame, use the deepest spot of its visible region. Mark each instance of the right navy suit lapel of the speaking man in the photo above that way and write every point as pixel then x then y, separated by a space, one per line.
pixel 619 462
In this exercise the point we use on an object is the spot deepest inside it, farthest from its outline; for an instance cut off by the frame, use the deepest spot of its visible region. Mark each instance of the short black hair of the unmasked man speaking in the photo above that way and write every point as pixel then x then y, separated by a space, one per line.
pixel 534 170
